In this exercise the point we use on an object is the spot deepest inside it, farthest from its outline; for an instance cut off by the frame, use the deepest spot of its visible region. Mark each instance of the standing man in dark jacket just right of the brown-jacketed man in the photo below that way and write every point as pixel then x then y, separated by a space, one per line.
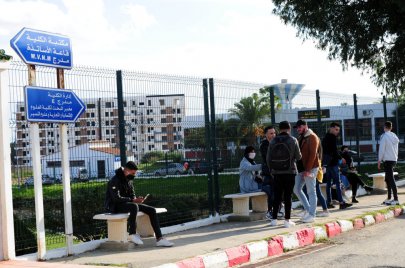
pixel 331 159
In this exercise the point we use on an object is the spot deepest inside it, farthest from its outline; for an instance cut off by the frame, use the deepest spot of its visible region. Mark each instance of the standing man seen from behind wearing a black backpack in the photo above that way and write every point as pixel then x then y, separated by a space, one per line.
pixel 282 155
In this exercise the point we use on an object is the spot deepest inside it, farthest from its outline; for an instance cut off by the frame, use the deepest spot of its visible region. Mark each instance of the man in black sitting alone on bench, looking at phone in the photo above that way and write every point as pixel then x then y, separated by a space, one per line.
pixel 120 198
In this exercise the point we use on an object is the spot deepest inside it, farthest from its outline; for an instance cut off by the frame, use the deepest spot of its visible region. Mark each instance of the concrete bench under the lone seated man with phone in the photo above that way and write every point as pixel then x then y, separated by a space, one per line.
pixel 117 225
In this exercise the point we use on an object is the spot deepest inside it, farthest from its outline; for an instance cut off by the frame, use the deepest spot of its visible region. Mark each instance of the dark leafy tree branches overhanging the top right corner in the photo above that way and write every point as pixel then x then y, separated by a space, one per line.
pixel 369 35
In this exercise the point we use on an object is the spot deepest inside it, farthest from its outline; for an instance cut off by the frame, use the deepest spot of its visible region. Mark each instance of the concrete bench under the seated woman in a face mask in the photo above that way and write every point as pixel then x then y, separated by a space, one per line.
pixel 240 203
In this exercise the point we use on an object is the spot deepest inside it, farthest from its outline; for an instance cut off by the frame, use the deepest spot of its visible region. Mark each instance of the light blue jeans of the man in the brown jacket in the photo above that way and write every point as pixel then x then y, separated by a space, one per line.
pixel 310 184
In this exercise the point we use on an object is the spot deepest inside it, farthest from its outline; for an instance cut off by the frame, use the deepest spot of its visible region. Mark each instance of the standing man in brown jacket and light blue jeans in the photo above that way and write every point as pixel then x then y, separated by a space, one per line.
pixel 308 168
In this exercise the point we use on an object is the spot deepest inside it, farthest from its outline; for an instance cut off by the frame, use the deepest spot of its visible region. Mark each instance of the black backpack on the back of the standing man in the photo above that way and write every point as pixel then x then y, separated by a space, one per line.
pixel 280 154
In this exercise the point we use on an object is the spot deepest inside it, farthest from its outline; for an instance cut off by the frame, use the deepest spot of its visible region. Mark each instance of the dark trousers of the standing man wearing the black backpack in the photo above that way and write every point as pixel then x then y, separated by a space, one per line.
pixel 283 188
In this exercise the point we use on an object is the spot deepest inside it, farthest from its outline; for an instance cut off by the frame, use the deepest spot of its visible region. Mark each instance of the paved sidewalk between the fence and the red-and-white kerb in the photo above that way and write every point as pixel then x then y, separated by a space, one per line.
pixel 212 238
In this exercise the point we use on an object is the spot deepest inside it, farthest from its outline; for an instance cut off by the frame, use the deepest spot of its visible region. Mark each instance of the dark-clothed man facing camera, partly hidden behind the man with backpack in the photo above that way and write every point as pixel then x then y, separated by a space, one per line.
pixel 268 179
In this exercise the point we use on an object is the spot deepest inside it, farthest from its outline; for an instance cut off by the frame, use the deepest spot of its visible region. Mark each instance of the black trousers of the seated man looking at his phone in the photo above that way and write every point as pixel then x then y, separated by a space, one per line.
pixel 133 209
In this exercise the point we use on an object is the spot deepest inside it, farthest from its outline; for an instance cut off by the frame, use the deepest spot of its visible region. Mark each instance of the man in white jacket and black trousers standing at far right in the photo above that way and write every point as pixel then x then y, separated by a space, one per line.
pixel 388 153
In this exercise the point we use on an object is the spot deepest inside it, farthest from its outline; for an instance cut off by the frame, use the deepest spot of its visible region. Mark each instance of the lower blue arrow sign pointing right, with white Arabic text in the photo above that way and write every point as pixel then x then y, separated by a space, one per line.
pixel 52 105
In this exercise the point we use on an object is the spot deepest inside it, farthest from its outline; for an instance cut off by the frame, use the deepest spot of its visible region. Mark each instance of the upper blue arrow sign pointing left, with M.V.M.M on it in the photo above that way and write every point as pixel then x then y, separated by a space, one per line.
pixel 43 48
